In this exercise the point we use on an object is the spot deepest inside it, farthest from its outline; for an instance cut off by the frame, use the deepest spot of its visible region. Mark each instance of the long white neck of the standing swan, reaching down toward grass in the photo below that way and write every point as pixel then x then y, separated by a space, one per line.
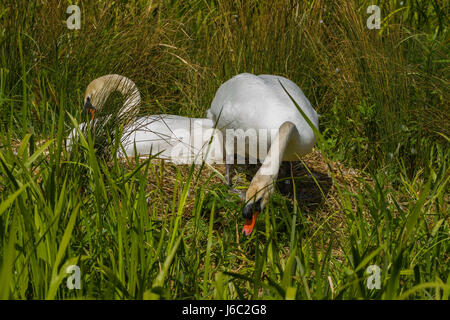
pixel 268 172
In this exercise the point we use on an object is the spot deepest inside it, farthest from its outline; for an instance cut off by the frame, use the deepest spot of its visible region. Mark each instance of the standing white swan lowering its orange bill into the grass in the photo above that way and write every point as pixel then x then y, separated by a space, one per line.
pixel 258 106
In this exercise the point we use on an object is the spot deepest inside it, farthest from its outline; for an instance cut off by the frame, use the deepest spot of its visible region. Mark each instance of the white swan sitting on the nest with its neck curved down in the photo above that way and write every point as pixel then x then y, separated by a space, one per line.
pixel 177 139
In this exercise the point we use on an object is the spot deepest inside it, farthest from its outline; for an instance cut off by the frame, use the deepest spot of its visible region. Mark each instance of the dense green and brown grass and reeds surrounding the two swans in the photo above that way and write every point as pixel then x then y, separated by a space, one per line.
pixel 383 95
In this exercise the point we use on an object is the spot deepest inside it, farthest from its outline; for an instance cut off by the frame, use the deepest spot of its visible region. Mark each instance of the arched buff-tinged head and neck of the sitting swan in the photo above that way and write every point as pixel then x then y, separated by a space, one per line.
pixel 98 91
